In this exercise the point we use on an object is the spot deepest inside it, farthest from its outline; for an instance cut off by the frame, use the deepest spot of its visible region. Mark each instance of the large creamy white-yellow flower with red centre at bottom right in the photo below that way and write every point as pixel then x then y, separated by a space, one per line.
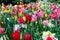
pixel 48 36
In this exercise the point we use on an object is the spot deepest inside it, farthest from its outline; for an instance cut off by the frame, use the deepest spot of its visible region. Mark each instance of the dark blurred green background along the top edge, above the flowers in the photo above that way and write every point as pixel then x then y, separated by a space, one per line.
pixel 24 1
